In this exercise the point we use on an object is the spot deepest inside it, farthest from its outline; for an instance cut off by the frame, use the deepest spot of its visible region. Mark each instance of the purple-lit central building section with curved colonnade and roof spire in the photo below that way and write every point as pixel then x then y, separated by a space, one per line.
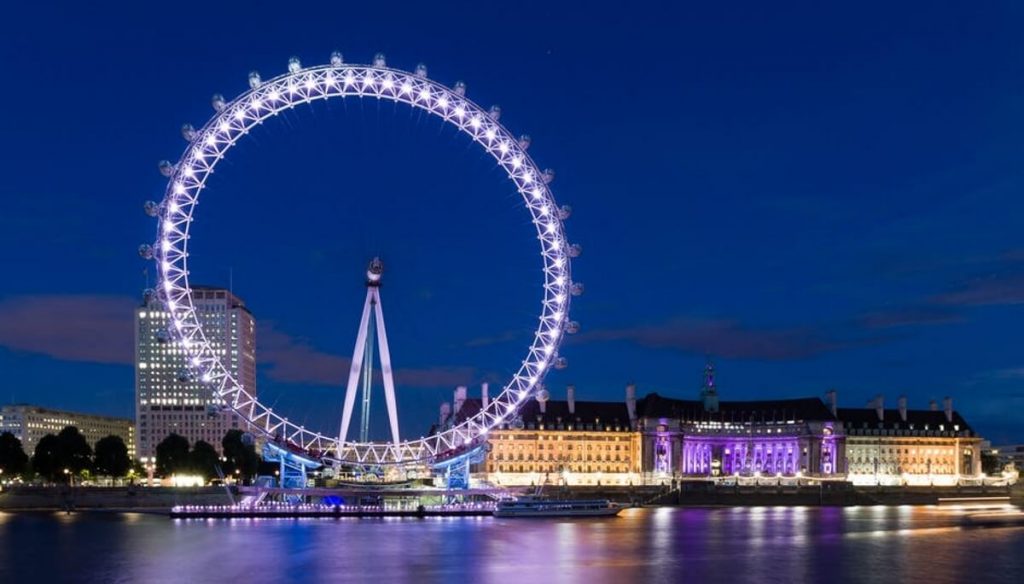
pixel 709 438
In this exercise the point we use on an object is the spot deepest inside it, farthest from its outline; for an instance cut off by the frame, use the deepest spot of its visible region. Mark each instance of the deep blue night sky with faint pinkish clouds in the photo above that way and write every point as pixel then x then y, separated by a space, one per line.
pixel 817 196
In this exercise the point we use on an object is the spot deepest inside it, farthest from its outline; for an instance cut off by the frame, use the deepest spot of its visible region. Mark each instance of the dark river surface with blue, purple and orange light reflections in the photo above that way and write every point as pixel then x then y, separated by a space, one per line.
pixel 766 545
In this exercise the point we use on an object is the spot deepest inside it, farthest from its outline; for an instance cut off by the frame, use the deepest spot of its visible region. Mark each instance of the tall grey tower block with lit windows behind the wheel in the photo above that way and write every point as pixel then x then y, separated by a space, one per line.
pixel 168 396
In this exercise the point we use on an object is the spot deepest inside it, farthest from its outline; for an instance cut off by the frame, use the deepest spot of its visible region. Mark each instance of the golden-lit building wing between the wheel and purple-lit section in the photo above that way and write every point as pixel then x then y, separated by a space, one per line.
pixel 558 443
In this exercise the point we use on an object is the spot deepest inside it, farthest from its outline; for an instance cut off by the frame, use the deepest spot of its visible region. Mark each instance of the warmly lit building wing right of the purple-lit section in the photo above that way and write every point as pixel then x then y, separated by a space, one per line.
pixel 910 447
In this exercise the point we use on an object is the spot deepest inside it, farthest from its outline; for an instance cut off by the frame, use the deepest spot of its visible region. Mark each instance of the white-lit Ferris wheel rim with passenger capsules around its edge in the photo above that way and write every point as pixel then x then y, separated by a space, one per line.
pixel 233 120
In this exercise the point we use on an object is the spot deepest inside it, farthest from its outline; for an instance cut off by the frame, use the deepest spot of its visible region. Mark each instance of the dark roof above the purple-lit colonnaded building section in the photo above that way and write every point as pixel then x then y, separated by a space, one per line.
pixel 655 406
